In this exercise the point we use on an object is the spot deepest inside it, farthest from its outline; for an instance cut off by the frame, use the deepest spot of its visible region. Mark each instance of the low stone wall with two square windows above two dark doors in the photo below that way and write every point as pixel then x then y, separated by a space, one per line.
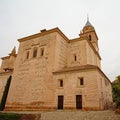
pixel 90 91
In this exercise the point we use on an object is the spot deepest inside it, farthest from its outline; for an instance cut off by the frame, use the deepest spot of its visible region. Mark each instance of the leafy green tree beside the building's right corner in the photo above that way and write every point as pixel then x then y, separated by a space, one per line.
pixel 116 91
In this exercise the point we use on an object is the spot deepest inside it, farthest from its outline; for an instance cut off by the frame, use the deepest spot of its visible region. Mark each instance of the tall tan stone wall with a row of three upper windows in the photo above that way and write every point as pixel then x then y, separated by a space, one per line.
pixel 31 74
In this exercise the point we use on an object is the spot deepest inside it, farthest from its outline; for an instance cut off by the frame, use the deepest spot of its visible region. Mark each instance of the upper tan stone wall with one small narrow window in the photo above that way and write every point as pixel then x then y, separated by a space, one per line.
pixel 76 49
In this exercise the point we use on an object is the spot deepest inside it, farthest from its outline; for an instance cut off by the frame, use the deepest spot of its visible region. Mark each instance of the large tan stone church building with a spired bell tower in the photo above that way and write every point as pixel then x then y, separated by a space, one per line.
pixel 52 72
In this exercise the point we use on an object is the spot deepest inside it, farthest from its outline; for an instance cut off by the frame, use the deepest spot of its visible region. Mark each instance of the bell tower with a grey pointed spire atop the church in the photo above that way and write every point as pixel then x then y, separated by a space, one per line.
pixel 89 32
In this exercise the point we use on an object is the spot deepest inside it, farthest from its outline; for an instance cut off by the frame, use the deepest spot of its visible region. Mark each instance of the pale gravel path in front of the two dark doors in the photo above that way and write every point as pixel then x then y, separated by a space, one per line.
pixel 80 115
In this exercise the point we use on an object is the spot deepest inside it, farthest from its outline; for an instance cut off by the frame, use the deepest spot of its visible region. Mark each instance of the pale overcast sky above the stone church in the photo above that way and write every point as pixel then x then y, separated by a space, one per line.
pixel 21 18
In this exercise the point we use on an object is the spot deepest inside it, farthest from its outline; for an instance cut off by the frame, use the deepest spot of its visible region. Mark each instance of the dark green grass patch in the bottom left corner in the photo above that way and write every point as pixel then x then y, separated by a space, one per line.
pixel 9 116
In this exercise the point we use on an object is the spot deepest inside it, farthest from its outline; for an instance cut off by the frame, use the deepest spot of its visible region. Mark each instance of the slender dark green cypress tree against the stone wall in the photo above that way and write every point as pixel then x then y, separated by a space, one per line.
pixel 5 93
